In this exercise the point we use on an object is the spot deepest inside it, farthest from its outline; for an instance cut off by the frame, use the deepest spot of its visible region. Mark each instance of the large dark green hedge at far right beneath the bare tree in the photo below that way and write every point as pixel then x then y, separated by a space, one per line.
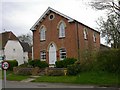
pixel 108 60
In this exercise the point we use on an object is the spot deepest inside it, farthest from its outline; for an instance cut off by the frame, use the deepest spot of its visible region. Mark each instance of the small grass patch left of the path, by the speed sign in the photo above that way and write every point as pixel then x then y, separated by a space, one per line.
pixel 12 77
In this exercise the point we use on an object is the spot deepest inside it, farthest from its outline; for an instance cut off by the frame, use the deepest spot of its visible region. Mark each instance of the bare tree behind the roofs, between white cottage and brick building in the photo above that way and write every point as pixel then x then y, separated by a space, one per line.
pixel 26 38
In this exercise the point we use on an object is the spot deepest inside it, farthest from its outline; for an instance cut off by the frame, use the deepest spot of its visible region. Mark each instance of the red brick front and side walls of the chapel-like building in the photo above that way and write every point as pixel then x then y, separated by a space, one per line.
pixel 70 42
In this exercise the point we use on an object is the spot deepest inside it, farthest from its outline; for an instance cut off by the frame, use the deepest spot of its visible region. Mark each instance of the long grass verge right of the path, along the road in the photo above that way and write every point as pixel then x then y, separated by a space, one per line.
pixel 89 78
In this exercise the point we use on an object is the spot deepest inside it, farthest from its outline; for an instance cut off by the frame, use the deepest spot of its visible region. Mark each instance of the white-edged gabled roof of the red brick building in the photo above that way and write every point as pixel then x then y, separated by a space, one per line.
pixel 33 28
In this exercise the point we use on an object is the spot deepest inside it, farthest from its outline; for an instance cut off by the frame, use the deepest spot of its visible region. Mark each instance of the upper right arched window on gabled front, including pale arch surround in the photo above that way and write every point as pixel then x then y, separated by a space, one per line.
pixel 61 27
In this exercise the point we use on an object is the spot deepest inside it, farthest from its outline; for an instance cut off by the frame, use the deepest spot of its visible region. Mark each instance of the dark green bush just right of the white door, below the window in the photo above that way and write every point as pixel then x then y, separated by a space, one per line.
pixel 64 63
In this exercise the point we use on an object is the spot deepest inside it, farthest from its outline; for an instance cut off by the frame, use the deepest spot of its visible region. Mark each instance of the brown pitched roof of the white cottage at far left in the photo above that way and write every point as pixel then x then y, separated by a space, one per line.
pixel 5 36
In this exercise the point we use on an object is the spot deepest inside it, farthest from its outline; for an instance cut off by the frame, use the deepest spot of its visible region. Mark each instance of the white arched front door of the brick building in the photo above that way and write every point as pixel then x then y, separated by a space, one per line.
pixel 52 54
